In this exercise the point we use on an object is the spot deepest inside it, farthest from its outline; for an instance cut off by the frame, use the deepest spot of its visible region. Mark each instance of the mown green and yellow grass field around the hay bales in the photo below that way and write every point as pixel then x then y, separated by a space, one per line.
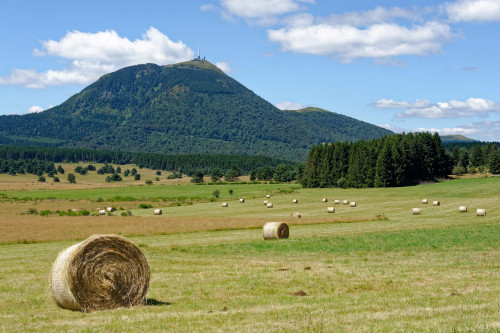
pixel 351 271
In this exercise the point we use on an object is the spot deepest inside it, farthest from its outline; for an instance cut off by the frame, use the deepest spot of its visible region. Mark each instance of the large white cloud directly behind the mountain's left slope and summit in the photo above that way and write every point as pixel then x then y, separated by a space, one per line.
pixel 94 54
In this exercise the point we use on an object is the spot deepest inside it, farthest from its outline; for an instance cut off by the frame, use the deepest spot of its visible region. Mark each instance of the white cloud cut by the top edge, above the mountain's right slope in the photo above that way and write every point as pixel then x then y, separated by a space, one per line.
pixel 263 12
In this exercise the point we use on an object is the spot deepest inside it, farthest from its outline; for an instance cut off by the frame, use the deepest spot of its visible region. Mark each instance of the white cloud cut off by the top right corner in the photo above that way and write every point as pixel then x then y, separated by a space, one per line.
pixel 473 10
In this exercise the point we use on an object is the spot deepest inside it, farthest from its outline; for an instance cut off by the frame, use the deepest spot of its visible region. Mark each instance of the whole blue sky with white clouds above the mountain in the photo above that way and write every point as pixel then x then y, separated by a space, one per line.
pixel 405 65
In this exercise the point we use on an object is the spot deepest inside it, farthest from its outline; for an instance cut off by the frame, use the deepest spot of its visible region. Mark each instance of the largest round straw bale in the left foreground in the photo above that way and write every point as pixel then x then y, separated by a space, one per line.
pixel 101 273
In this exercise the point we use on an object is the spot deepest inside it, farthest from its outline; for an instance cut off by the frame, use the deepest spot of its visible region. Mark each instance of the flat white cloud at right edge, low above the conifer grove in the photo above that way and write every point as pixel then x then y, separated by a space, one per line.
pixel 472 107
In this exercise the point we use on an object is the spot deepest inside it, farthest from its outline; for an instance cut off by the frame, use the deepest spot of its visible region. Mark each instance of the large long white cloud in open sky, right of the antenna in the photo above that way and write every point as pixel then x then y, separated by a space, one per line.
pixel 347 42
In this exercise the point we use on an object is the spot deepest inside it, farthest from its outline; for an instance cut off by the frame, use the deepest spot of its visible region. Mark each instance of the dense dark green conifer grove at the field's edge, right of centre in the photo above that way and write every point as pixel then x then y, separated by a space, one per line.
pixel 390 161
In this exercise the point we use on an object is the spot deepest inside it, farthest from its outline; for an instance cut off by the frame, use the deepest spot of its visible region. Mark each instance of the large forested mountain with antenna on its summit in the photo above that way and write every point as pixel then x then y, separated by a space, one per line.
pixel 190 107
